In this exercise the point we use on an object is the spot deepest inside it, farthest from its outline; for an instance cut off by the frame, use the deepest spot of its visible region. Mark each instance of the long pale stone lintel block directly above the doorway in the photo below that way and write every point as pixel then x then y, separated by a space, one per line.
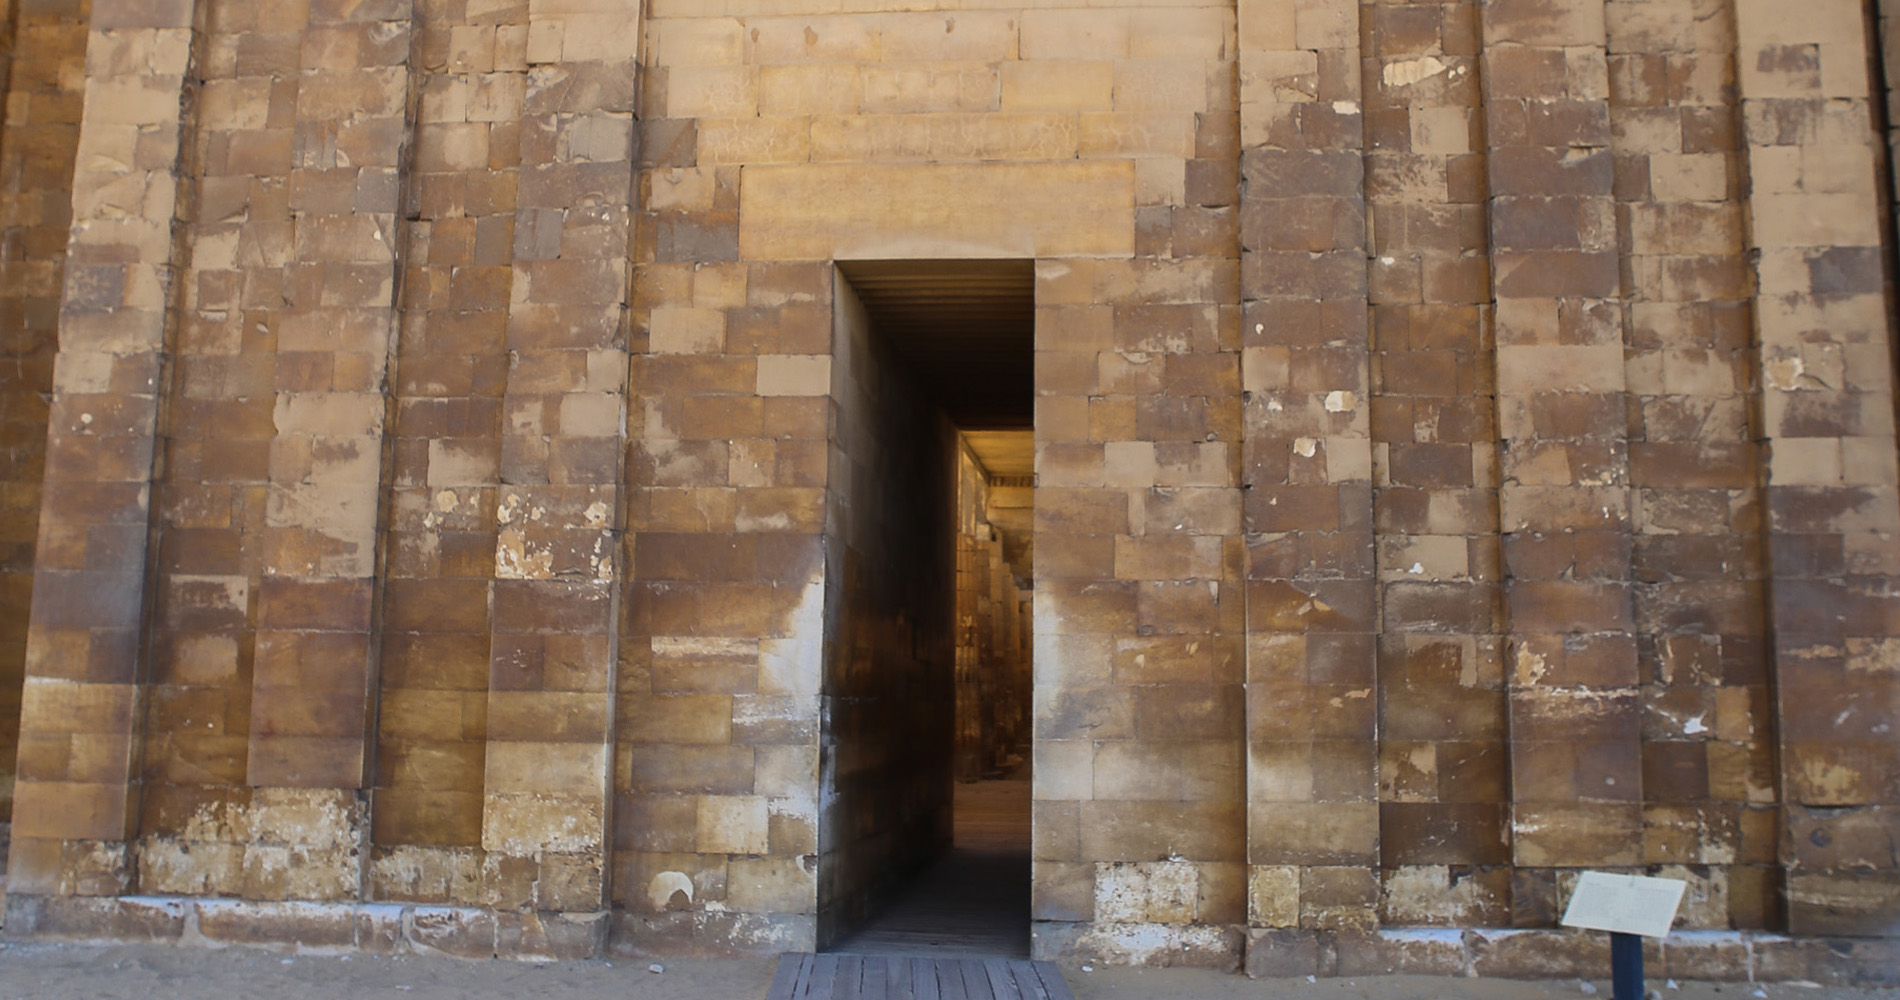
pixel 896 212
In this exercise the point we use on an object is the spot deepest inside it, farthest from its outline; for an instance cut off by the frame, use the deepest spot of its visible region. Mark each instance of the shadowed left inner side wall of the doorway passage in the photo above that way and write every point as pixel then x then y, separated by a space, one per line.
pixel 890 706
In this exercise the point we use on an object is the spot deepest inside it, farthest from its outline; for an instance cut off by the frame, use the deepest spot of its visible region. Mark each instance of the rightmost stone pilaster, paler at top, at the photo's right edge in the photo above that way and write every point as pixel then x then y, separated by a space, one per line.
pixel 1829 427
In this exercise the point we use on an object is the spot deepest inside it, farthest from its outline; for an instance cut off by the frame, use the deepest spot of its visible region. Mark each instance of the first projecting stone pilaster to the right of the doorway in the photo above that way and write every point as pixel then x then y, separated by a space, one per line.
pixel 1312 587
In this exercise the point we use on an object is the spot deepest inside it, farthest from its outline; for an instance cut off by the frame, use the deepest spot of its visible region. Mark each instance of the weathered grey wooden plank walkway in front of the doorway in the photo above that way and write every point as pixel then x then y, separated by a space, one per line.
pixel 890 978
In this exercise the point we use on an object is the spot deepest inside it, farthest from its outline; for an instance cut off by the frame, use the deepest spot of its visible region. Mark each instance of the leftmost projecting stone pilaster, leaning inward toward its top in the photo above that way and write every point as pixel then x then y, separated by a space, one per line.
pixel 75 799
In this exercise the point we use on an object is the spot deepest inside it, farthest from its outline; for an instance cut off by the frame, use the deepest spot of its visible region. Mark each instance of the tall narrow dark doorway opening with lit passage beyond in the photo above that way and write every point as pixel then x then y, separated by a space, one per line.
pixel 924 843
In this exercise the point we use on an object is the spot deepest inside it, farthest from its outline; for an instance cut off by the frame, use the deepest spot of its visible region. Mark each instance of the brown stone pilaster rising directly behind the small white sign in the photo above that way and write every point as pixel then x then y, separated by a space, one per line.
pixel 1565 499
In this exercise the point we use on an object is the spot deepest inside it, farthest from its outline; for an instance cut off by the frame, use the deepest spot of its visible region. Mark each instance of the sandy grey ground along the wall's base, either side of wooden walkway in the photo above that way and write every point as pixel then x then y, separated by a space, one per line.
pixel 71 972
